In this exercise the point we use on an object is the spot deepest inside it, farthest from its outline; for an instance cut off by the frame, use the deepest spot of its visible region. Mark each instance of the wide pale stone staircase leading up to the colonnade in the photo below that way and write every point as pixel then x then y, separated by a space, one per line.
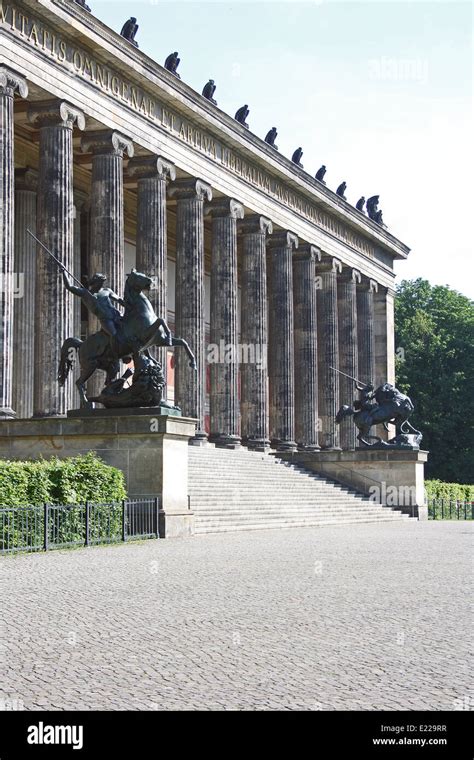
pixel 244 490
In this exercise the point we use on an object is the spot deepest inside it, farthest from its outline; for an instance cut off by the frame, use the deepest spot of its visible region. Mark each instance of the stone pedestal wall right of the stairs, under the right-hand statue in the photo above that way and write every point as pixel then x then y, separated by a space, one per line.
pixel 394 478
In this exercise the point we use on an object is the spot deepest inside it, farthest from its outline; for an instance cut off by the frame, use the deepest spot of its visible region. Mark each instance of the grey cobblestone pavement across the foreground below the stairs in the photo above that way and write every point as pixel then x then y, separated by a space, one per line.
pixel 349 617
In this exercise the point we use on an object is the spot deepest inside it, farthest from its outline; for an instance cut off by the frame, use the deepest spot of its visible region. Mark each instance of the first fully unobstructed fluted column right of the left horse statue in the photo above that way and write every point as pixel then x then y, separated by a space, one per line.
pixel 224 375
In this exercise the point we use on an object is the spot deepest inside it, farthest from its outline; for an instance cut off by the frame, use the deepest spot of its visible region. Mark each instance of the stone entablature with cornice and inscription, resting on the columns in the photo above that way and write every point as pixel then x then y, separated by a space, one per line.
pixel 220 141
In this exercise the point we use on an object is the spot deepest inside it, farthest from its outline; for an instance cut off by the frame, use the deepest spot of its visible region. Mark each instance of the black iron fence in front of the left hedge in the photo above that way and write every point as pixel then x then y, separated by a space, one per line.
pixel 31 528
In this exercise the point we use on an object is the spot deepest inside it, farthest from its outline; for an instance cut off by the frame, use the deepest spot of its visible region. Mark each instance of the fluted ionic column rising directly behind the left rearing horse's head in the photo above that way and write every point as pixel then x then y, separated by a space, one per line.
pixel 153 174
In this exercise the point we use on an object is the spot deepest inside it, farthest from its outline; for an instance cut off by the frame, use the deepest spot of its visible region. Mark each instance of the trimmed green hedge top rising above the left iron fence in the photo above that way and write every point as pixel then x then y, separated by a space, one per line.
pixel 60 481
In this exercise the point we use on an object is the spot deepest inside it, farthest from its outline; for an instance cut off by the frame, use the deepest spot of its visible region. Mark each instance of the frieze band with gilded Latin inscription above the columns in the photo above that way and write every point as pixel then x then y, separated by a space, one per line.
pixel 80 63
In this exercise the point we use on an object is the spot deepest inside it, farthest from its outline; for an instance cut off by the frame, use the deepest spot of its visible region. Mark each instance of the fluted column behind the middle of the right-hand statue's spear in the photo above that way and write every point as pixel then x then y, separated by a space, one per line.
pixel 348 351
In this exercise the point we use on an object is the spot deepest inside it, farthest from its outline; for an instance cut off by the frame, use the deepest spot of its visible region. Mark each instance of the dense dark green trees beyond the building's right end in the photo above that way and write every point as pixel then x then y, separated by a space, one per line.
pixel 434 337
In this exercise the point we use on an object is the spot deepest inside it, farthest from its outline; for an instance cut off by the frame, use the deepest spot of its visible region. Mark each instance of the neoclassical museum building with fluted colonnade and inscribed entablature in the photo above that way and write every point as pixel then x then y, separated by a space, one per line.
pixel 114 162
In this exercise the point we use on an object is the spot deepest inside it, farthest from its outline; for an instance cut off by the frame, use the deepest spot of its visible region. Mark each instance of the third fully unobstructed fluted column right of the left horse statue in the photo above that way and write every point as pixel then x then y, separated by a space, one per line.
pixel 281 359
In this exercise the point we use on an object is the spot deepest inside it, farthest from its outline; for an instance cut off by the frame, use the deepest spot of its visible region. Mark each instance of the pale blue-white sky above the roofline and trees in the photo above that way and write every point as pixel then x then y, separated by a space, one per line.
pixel 380 92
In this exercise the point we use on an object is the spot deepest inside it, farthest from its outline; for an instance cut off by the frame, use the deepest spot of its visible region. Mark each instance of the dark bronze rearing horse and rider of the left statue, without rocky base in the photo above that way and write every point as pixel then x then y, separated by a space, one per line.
pixel 121 337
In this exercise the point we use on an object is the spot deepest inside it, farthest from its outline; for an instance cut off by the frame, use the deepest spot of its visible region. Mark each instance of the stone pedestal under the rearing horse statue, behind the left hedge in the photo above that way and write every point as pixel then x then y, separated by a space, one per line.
pixel 151 450
